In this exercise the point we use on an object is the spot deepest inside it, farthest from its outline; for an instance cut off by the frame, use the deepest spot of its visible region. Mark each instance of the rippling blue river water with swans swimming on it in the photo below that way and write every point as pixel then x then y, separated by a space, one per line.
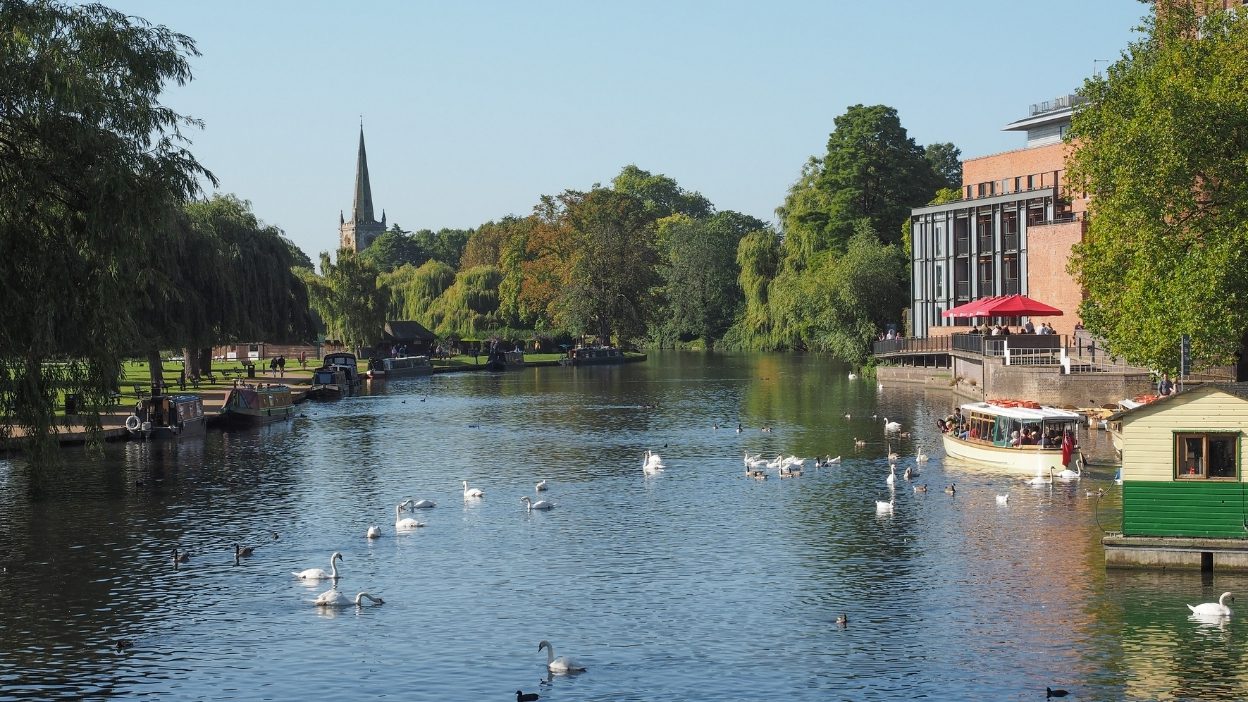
pixel 697 584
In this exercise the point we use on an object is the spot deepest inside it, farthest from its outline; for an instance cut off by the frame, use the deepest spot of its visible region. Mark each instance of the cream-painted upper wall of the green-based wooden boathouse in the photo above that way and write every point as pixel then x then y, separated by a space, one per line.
pixel 1149 434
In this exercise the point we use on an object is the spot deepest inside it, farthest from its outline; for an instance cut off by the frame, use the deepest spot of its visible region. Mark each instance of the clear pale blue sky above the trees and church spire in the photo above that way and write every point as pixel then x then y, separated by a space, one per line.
pixel 475 109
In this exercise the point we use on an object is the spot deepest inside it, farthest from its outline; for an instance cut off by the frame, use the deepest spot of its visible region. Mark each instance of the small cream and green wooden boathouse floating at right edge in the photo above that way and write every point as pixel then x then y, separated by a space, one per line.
pixel 1185 500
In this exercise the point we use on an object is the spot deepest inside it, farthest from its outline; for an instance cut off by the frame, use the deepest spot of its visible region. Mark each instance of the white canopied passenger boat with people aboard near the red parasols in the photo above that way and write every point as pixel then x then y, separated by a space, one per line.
pixel 989 437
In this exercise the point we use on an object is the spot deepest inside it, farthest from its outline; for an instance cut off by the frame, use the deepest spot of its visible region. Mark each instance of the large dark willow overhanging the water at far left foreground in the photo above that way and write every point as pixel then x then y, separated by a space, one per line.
pixel 90 167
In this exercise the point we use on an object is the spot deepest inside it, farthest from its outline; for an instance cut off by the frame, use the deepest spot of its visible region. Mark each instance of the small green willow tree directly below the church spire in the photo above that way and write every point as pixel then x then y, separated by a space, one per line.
pixel 349 299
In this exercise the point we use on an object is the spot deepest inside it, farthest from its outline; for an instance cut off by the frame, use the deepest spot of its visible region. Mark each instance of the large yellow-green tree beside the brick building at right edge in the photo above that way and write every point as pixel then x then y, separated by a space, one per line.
pixel 1161 153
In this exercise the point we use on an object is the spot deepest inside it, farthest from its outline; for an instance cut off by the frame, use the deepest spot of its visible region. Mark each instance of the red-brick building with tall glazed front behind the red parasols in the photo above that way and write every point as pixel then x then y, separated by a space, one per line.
pixel 1012 233
